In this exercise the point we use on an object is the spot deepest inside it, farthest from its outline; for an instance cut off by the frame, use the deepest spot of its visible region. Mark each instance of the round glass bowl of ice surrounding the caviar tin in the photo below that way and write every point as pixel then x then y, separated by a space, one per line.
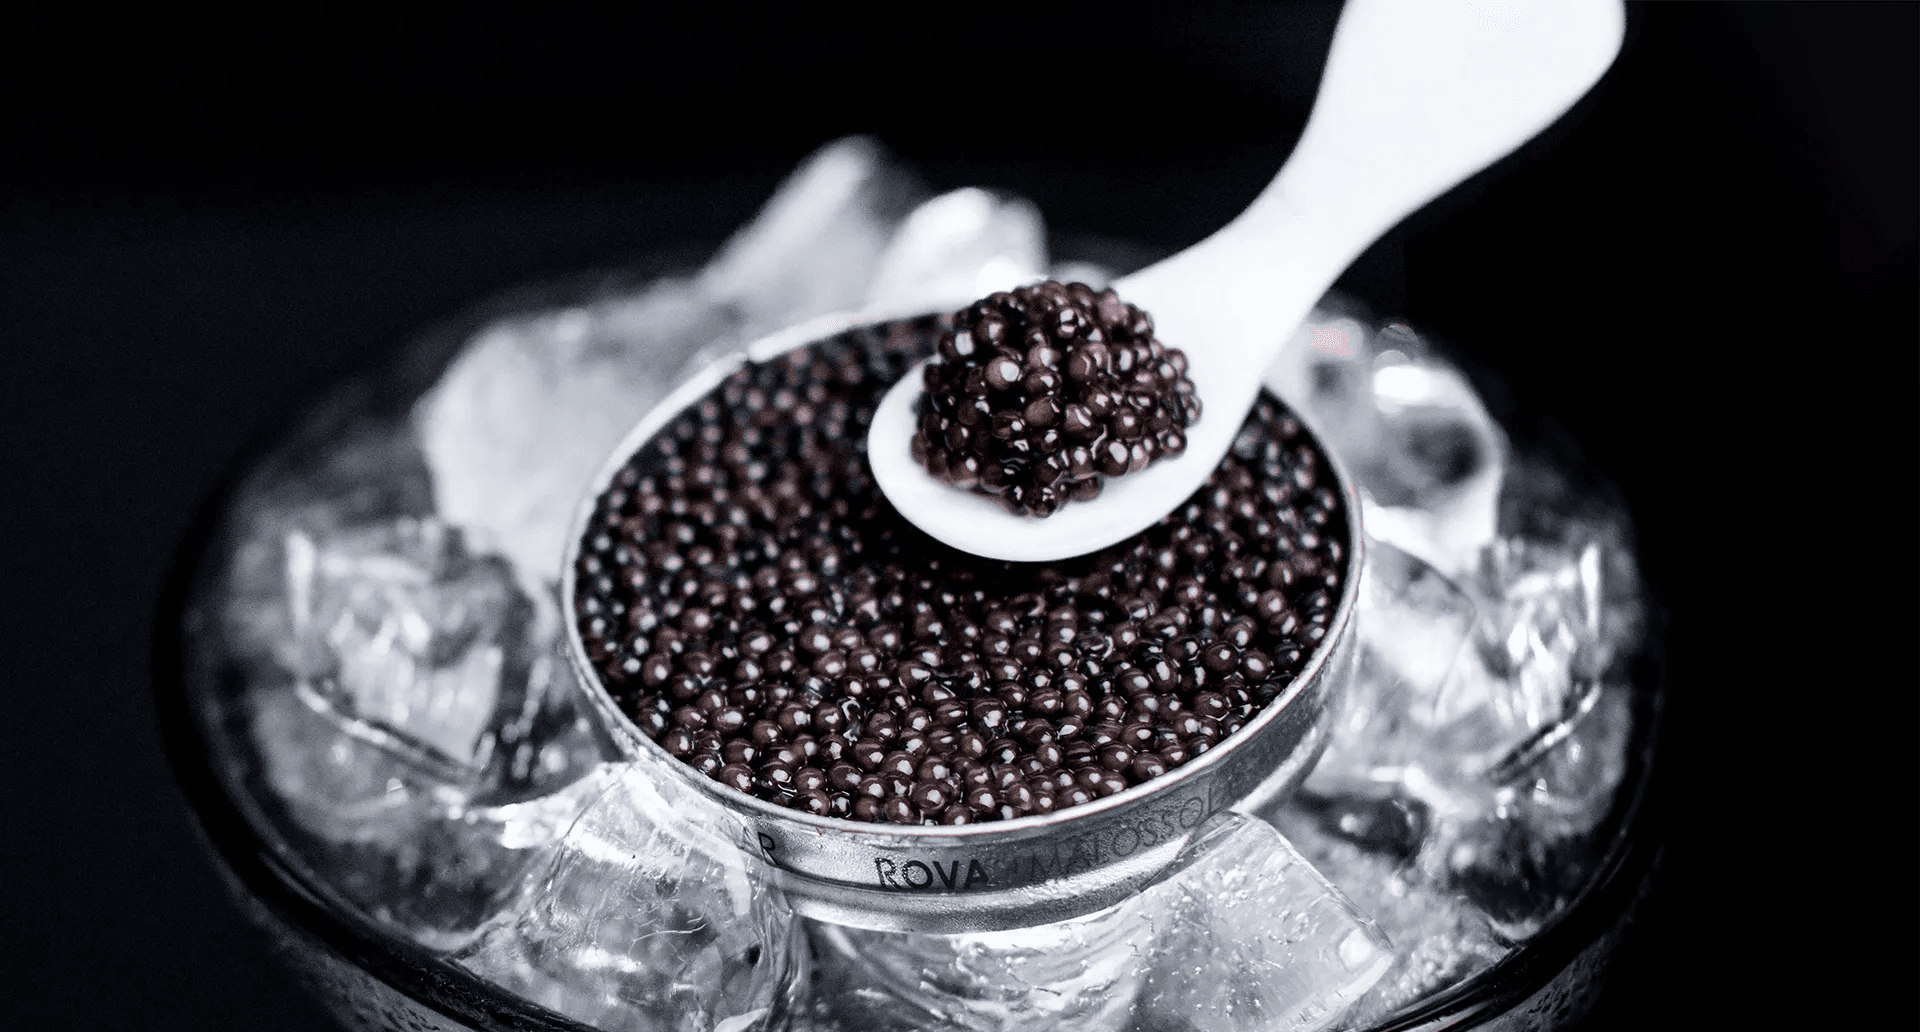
pixel 370 695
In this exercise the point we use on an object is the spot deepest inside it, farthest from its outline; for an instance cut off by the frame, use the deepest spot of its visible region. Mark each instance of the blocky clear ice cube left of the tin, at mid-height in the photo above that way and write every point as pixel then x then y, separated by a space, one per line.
pixel 404 640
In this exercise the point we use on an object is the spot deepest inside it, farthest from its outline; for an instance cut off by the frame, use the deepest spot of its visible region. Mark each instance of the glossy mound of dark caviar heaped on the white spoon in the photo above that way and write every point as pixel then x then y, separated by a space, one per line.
pixel 1044 390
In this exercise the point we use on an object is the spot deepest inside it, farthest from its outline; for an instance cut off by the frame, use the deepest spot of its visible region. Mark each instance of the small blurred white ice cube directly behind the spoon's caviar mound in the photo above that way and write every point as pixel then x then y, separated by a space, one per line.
pixel 959 248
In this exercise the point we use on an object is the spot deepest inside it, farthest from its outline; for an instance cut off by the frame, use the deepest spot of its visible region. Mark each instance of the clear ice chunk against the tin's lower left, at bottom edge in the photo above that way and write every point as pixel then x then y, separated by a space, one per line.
pixel 652 914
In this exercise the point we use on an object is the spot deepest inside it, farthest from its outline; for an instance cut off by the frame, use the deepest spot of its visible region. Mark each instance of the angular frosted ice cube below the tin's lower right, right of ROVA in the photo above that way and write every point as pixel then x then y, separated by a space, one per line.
pixel 1251 937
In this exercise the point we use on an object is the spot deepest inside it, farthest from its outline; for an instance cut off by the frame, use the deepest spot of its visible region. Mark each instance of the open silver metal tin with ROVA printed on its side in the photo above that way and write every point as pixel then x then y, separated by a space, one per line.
pixel 997 874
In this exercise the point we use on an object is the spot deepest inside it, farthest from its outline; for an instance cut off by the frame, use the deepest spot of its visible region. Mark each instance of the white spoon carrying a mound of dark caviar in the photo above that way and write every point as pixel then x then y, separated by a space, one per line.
pixel 1418 97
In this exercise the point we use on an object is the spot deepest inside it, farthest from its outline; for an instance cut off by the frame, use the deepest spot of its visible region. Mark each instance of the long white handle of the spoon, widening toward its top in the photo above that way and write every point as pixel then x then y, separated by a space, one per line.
pixel 1418 97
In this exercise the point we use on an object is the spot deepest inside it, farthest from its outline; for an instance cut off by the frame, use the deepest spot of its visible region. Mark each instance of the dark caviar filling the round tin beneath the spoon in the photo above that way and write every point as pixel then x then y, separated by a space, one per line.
pixel 759 609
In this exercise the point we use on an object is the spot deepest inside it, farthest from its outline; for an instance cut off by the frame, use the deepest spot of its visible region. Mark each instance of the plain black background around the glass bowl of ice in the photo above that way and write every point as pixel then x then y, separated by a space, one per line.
pixel 1706 277
